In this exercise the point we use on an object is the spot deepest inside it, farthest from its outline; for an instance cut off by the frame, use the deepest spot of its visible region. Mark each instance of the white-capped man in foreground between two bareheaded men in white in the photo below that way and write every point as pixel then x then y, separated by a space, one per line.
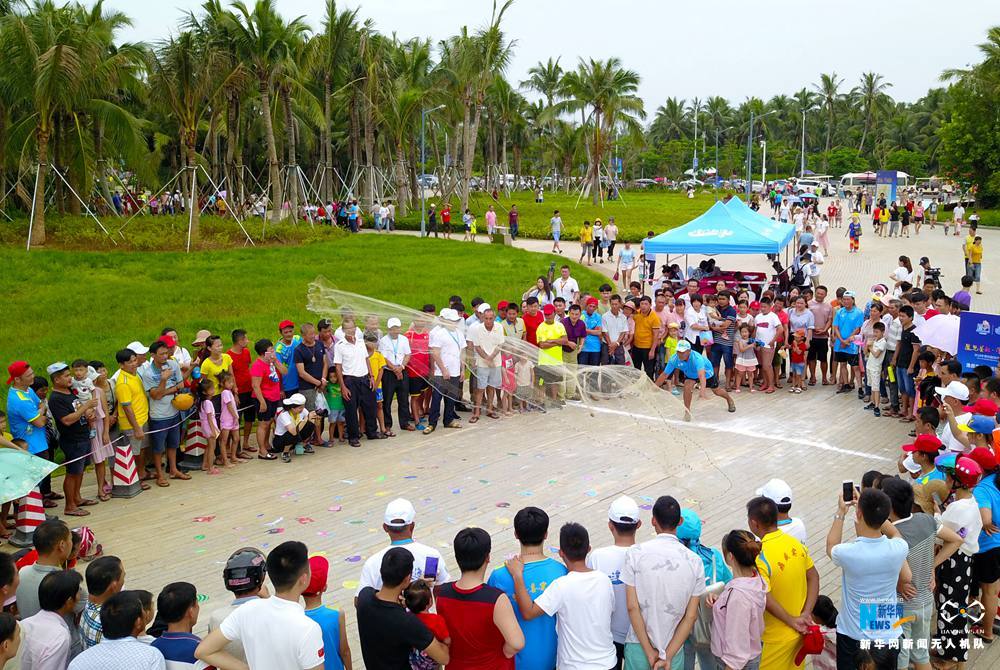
pixel 623 522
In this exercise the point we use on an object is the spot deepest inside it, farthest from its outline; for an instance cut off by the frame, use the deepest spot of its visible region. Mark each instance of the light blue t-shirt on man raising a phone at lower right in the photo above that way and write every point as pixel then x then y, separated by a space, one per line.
pixel 870 568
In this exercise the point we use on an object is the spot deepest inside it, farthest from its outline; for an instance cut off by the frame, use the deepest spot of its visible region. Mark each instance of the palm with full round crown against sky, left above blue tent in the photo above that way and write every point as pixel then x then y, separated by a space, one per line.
pixel 605 93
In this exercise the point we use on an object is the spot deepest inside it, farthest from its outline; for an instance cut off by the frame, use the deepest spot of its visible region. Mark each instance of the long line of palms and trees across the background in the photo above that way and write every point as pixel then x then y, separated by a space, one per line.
pixel 240 97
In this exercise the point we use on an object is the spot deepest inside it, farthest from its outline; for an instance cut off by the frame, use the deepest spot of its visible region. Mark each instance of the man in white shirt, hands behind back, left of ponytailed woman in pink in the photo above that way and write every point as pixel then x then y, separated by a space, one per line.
pixel 664 581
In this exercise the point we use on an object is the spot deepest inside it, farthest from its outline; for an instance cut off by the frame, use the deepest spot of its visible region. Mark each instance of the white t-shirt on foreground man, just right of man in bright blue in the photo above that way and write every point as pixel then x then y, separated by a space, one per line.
pixel 583 603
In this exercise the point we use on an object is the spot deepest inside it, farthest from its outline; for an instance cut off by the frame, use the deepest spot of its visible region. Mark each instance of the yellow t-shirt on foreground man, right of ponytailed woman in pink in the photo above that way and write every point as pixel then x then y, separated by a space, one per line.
pixel 783 563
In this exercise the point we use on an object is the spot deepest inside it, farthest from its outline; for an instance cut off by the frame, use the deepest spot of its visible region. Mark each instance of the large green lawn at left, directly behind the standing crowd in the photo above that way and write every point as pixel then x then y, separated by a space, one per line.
pixel 66 304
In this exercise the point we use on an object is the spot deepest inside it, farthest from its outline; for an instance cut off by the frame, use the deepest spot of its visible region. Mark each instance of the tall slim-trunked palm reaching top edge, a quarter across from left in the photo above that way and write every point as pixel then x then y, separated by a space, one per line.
pixel 264 42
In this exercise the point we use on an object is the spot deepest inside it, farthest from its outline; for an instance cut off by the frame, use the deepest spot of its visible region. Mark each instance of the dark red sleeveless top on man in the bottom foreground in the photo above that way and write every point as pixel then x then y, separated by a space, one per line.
pixel 476 642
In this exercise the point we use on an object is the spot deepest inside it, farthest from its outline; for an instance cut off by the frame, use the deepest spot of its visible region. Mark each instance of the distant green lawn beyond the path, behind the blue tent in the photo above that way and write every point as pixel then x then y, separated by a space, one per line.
pixel 636 213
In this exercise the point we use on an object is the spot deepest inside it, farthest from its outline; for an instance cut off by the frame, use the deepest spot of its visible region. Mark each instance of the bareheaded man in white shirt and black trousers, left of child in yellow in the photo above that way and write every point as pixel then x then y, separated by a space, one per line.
pixel 357 385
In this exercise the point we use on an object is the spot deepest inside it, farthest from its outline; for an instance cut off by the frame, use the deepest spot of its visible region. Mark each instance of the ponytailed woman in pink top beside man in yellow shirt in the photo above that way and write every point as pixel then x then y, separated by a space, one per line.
pixel 738 612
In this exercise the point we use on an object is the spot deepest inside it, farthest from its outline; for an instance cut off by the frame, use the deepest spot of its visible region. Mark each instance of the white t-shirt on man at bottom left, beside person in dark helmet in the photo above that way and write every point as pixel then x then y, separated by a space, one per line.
pixel 276 634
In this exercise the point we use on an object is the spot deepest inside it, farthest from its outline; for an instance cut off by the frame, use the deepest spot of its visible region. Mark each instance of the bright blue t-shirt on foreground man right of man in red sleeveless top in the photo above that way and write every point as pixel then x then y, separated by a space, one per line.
pixel 540 639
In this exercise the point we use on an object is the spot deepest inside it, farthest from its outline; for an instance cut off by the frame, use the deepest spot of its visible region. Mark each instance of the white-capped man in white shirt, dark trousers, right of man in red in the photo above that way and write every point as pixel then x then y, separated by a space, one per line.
pixel 446 344
